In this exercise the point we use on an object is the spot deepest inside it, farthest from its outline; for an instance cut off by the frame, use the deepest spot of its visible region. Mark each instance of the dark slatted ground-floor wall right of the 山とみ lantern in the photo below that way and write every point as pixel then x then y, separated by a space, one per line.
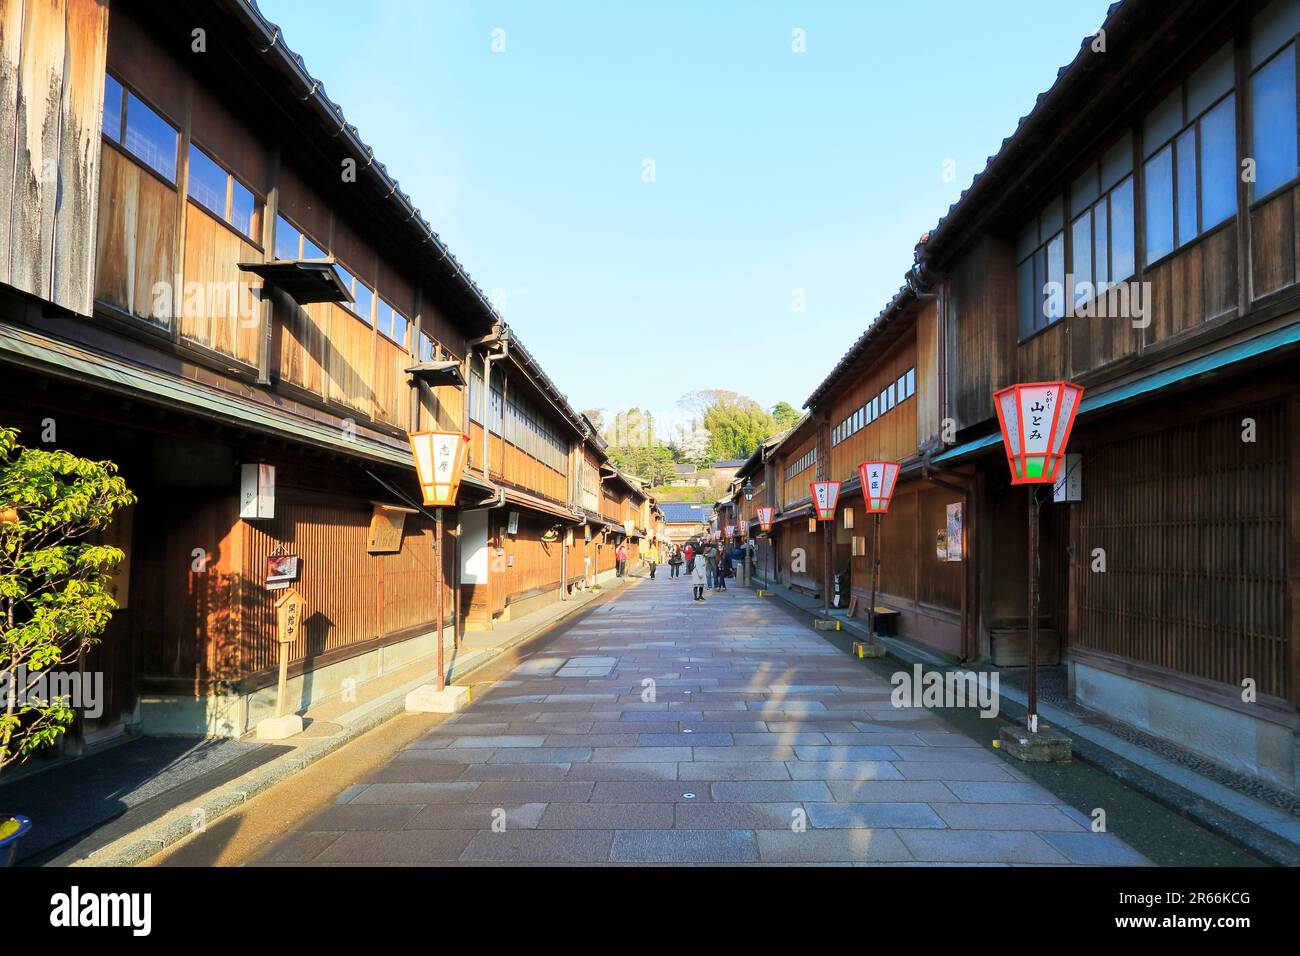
pixel 1194 525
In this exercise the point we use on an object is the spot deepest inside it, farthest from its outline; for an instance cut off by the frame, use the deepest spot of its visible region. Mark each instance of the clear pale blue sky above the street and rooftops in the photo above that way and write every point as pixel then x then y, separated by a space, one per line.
pixel 777 175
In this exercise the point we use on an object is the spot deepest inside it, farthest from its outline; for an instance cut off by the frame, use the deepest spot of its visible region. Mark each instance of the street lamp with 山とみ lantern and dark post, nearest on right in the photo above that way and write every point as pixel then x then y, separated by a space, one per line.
pixel 1035 419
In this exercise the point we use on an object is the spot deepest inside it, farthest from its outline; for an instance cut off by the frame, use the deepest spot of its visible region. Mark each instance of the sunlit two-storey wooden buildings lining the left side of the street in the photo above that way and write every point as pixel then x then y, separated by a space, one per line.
pixel 207 278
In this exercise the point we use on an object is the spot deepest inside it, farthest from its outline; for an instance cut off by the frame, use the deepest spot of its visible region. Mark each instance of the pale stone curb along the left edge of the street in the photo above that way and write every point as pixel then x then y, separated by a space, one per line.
pixel 158 836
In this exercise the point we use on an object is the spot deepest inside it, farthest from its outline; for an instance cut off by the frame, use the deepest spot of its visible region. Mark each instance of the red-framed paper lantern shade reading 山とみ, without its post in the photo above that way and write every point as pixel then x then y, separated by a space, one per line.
pixel 1037 419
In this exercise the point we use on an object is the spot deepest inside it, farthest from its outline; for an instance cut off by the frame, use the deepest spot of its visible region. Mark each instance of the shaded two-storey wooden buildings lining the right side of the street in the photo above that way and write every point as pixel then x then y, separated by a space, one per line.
pixel 1139 235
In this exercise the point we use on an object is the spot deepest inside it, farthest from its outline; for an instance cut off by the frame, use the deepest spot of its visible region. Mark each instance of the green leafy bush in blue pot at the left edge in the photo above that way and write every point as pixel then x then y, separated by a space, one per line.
pixel 55 591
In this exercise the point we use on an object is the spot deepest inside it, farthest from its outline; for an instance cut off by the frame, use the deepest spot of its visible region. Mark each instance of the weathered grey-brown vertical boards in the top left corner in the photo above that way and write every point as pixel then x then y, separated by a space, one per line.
pixel 53 57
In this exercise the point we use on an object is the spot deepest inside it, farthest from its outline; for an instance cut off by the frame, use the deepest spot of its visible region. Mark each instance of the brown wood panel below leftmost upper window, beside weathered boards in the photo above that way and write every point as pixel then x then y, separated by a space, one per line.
pixel 136 237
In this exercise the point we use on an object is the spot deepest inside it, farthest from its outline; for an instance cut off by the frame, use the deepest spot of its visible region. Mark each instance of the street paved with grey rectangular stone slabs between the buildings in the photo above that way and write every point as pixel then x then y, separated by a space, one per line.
pixel 757 743
